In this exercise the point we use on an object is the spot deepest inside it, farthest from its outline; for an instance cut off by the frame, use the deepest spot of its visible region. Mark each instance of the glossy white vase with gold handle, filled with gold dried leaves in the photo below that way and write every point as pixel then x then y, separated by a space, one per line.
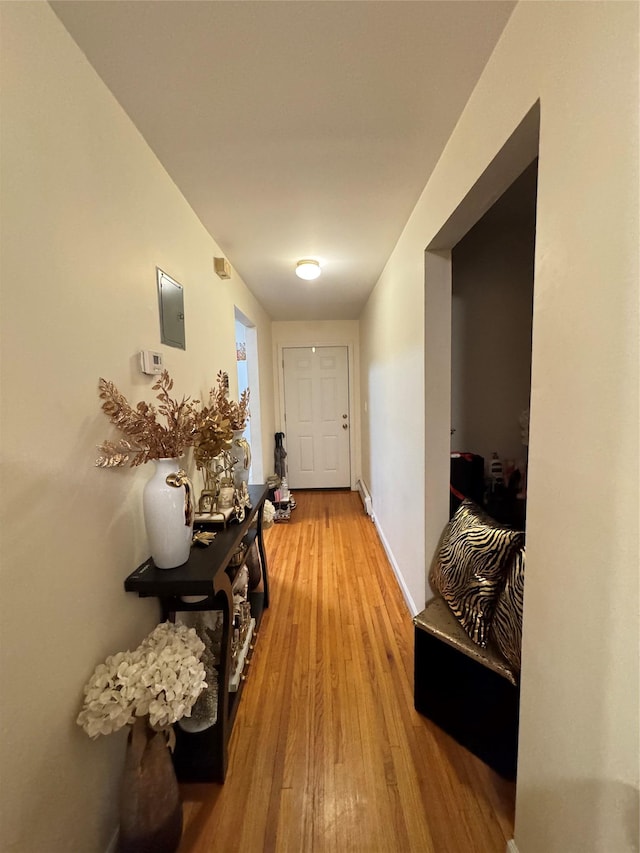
pixel 167 498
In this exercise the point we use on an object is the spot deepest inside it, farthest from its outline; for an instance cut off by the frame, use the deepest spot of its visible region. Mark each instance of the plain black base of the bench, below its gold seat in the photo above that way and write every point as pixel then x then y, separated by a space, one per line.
pixel 473 704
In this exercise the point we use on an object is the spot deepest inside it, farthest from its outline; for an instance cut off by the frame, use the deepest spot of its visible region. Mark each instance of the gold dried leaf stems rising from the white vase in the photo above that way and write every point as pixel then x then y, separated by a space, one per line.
pixel 146 438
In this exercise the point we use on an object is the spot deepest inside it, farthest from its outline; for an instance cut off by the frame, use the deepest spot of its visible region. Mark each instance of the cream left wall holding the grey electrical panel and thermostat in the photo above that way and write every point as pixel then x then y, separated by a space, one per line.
pixel 87 214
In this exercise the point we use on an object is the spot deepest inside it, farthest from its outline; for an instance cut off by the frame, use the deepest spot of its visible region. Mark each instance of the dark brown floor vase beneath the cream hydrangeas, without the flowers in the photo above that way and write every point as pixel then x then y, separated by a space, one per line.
pixel 150 808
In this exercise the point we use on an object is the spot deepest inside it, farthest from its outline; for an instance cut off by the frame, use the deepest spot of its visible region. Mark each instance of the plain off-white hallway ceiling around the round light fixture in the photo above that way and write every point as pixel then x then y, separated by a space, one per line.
pixel 296 129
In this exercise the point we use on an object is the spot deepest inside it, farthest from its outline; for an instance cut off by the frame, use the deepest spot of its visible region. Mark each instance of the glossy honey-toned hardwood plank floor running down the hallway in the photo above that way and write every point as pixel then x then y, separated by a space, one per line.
pixel 327 752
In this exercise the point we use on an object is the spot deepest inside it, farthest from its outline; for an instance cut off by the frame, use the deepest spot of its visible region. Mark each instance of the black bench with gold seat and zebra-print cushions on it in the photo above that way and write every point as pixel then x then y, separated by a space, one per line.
pixel 467 639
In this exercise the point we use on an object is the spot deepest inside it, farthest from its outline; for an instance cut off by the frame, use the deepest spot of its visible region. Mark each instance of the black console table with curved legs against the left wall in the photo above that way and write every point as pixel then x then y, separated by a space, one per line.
pixel 203 756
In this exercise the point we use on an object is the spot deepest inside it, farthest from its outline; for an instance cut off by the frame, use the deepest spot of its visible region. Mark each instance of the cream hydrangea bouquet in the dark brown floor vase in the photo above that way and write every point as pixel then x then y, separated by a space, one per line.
pixel 148 689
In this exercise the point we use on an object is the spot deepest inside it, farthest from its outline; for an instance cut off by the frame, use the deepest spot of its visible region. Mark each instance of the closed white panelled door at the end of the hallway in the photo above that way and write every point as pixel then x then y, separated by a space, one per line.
pixel 317 426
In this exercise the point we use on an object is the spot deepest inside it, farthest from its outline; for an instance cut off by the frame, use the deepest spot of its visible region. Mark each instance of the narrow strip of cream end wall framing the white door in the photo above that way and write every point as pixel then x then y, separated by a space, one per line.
pixel 308 333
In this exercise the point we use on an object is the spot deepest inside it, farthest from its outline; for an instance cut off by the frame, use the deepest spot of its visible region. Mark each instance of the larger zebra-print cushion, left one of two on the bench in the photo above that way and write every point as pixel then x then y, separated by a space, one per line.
pixel 469 569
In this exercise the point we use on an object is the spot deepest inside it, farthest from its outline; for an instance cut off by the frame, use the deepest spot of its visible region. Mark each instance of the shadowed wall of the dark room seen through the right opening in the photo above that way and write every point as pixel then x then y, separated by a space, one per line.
pixel 492 303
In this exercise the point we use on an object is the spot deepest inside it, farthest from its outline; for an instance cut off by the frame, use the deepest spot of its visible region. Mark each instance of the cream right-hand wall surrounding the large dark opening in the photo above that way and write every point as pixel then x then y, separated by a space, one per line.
pixel 578 770
